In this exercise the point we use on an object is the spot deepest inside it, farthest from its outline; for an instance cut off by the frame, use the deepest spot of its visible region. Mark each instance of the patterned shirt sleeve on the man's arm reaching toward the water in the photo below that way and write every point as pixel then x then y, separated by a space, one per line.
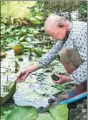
pixel 51 55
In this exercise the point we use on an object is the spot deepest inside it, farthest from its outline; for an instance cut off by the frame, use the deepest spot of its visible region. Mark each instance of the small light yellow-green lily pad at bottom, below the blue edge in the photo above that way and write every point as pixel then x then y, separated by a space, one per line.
pixel 59 112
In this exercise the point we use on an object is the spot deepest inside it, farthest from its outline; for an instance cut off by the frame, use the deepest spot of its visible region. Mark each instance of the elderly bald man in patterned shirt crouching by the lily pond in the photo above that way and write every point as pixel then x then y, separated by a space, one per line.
pixel 71 46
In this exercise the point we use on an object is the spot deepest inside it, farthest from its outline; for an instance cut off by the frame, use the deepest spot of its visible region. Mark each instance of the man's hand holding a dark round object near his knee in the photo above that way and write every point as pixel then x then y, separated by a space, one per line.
pixel 62 79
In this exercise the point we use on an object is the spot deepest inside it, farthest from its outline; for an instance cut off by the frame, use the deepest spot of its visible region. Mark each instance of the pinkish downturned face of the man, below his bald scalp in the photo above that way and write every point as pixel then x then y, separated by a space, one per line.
pixel 57 32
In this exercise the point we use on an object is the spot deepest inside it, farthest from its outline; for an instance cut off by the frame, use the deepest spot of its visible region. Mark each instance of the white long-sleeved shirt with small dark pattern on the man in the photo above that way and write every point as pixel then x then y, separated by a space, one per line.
pixel 77 40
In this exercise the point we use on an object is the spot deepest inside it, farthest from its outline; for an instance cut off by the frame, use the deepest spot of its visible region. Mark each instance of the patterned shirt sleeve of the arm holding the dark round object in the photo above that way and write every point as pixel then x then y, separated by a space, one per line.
pixel 80 74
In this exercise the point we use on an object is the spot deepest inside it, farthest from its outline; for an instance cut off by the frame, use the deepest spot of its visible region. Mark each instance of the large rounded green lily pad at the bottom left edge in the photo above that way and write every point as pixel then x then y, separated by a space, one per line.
pixel 22 113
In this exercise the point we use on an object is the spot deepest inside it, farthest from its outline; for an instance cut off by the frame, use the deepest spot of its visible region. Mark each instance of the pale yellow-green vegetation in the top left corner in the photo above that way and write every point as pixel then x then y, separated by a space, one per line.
pixel 12 8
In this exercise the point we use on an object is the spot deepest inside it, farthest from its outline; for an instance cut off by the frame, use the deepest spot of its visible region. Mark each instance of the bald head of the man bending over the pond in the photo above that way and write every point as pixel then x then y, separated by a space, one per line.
pixel 58 27
